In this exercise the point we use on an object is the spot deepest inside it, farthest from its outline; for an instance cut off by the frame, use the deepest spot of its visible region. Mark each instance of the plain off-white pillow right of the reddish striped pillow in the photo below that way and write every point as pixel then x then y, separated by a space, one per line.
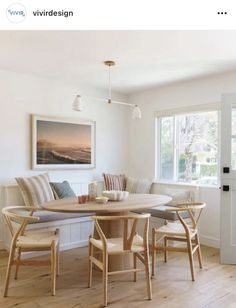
pixel 138 186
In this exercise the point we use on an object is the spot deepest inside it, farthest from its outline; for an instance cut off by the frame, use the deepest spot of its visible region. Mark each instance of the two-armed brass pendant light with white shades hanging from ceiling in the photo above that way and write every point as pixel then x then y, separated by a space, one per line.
pixel 78 104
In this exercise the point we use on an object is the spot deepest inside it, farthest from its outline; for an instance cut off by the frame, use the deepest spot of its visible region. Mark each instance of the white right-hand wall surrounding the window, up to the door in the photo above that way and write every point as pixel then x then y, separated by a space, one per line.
pixel 142 136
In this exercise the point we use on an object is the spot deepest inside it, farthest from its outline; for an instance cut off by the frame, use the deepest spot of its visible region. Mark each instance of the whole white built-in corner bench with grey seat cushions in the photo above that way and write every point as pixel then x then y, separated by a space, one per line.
pixel 76 228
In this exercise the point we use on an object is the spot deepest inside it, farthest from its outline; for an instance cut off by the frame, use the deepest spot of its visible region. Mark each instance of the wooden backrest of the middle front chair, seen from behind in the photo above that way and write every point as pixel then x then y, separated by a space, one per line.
pixel 130 223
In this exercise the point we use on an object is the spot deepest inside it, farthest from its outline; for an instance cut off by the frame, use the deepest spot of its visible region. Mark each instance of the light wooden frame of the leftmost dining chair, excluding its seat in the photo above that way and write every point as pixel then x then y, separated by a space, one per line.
pixel 22 221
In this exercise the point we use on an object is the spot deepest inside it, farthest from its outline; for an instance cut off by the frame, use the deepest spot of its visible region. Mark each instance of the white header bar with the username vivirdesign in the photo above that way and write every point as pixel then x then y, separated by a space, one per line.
pixel 122 14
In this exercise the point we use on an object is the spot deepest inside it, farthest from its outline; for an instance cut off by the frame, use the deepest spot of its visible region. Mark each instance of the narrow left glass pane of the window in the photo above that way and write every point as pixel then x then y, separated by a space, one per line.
pixel 167 148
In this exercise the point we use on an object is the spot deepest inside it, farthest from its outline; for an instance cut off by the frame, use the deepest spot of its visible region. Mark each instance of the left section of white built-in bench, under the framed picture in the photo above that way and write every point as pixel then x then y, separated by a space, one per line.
pixel 74 228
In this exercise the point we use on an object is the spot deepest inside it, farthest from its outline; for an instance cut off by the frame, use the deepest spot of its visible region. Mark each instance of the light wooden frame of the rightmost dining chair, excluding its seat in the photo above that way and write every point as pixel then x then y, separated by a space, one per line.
pixel 188 235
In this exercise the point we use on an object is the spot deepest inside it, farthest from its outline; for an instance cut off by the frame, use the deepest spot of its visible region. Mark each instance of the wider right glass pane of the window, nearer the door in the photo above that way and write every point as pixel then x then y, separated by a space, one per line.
pixel 197 148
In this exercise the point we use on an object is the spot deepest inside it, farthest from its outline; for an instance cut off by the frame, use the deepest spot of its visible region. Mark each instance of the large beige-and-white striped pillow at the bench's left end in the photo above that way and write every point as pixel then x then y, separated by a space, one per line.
pixel 35 190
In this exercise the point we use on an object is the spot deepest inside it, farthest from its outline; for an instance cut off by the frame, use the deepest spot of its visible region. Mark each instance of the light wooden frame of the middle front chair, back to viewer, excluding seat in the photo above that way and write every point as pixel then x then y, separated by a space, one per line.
pixel 127 240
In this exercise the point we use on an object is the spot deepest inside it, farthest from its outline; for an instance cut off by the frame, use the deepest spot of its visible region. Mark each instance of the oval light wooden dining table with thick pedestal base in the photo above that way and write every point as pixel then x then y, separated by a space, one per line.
pixel 111 229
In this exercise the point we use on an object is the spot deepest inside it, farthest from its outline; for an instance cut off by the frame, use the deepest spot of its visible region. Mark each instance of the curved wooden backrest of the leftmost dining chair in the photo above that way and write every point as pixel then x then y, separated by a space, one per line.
pixel 17 214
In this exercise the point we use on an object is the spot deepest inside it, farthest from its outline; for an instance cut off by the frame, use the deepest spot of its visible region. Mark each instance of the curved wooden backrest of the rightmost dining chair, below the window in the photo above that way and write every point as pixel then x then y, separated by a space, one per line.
pixel 194 210
